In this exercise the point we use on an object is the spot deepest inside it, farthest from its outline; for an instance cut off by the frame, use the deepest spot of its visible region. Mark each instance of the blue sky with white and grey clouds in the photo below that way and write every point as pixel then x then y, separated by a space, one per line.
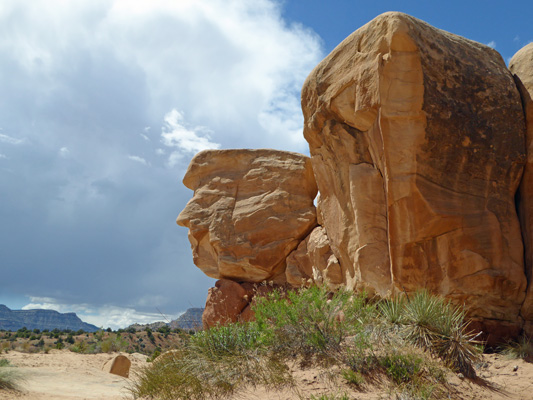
pixel 103 103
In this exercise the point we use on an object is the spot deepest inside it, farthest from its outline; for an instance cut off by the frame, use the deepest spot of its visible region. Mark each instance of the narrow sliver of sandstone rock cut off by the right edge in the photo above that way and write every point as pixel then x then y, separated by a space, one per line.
pixel 521 65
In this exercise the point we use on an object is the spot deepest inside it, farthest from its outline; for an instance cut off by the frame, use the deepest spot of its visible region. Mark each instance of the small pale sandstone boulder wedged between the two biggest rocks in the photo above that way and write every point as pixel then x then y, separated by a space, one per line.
pixel 314 261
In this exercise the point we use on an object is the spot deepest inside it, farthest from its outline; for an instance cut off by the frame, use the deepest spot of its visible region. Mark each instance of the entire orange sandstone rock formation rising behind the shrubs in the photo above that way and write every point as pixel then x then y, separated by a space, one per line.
pixel 421 146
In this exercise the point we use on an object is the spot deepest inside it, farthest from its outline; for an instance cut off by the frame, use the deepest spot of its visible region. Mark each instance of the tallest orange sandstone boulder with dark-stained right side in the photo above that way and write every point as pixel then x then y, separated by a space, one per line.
pixel 417 143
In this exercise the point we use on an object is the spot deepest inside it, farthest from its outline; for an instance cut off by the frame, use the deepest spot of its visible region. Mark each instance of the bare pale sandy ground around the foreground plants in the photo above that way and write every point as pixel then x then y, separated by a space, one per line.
pixel 62 375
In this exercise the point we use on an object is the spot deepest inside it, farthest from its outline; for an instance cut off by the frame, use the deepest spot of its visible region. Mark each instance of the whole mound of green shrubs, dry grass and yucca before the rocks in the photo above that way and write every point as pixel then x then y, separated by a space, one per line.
pixel 408 345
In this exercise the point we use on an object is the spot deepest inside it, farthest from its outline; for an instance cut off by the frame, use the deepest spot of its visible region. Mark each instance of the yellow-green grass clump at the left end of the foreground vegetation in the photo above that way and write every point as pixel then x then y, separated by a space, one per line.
pixel 214 364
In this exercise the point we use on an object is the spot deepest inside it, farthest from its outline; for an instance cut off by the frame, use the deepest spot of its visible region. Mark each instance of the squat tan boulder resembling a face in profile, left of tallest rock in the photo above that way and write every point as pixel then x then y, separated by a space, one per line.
pixel 250 209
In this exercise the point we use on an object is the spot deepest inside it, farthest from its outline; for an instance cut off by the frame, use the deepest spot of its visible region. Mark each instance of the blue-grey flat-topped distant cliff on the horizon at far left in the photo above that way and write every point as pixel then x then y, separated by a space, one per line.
pixel 12 320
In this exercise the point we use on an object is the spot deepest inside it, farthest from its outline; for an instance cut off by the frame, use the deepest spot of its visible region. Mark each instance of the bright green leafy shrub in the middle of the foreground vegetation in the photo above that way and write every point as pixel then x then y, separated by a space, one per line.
pixel 311 322
